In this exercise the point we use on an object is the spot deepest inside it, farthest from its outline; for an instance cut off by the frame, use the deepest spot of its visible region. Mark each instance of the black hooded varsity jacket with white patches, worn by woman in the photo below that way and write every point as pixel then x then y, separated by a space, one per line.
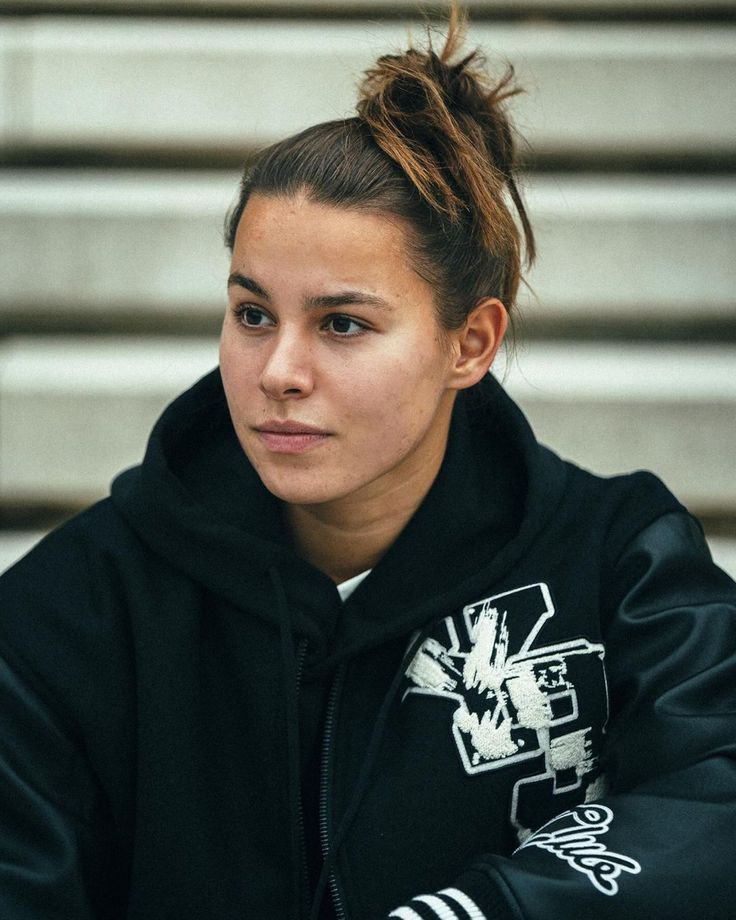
pixel 526 710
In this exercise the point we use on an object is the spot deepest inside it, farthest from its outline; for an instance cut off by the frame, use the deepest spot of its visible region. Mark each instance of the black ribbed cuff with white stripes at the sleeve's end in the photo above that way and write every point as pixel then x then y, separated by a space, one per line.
pixel 476 896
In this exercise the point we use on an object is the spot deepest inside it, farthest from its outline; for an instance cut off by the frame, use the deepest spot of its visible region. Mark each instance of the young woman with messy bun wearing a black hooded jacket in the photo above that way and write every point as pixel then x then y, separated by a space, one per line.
pixel 350 642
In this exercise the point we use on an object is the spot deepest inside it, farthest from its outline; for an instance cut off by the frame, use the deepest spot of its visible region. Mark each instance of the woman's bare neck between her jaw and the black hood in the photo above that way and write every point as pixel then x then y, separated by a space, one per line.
pixel 345 537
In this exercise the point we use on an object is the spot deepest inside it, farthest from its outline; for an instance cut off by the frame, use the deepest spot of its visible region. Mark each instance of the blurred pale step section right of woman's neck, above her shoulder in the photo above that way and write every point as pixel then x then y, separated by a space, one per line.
pixel 667 408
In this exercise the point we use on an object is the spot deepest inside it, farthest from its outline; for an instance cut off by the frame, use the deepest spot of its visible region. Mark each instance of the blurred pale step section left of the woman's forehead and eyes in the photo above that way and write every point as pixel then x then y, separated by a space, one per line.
pixel 142 243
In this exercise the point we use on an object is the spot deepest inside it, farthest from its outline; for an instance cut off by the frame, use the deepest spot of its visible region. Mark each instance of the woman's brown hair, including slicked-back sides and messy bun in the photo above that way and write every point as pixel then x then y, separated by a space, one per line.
pixel 432 144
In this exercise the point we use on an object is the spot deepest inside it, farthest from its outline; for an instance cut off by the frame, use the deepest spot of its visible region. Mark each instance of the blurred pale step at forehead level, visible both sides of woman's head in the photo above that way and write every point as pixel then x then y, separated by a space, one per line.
pixel 637 252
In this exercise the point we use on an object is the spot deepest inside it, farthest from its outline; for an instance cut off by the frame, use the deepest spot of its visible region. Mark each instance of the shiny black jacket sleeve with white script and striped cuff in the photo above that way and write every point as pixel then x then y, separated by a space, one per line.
pixel 661 842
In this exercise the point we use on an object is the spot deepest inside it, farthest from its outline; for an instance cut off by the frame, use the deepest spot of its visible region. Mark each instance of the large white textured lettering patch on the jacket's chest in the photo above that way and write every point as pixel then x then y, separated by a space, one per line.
pixel 515 700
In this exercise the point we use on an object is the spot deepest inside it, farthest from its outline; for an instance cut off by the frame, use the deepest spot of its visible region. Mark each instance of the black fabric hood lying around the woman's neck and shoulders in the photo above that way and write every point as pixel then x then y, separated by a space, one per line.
pixel 196 502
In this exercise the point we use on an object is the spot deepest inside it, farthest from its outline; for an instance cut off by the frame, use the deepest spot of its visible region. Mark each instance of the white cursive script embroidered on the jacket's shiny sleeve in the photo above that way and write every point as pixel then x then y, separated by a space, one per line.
pixel 573 836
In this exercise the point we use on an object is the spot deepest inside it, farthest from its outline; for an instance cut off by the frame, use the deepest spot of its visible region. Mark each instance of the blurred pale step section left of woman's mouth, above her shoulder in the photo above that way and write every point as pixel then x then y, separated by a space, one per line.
pixel 73 412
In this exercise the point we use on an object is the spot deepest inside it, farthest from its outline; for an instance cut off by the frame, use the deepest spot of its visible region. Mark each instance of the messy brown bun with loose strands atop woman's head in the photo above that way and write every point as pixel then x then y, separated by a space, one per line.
pixel 444 123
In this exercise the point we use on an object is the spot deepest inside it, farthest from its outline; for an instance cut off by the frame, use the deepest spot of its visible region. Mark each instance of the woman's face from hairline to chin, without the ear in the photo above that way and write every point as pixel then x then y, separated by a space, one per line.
pixel 337 375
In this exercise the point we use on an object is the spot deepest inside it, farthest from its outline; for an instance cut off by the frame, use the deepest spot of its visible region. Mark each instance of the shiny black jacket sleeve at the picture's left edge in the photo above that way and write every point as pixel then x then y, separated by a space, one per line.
pixel 55 836
